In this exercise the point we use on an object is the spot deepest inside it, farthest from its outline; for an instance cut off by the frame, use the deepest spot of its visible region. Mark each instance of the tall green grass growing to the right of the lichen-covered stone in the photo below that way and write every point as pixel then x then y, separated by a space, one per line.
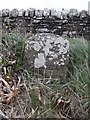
pixel 79 74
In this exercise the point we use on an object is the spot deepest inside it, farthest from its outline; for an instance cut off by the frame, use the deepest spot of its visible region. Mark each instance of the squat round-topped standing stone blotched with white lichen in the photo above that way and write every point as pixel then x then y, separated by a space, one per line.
pixel 48 54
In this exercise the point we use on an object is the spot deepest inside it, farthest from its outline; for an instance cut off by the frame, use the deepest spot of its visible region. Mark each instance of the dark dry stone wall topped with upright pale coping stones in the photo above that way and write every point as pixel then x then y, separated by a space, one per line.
pixel 71 23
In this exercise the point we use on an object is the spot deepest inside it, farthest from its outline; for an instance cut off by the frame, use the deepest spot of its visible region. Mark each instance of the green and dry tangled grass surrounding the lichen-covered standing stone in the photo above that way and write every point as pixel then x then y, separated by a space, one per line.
pixel 45 98
